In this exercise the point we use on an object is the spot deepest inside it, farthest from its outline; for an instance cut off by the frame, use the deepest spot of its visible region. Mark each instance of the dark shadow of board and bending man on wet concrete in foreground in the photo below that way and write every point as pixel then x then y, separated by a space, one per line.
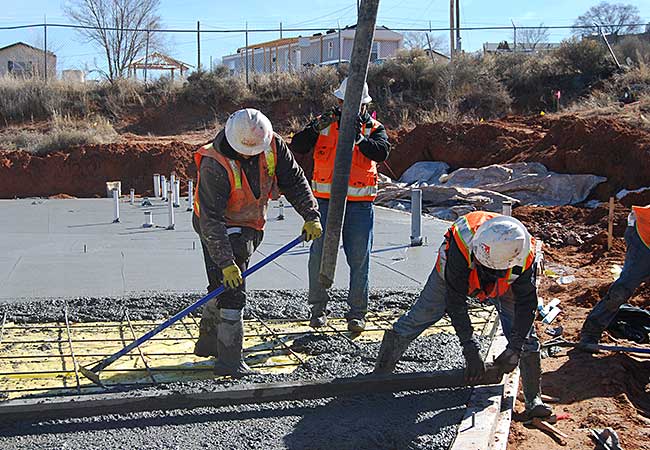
pixel 356 422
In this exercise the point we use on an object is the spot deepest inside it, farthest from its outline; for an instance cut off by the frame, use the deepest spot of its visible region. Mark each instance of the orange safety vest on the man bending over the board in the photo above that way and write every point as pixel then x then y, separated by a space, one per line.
pixel 462 232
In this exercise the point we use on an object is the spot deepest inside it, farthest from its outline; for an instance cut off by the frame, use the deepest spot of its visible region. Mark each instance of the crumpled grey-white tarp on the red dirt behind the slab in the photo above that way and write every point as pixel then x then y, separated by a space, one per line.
pixel 486 188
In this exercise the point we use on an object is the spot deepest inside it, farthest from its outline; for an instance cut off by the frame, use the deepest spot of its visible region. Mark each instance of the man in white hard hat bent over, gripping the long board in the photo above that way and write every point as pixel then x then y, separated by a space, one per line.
pixel 489 257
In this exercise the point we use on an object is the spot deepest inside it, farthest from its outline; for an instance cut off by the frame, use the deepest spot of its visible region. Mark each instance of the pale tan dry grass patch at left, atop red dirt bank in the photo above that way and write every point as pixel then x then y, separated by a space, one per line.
pixel 60 134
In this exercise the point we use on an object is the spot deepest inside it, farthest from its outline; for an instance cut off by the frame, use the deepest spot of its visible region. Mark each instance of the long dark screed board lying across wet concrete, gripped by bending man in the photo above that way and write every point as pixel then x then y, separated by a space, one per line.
pixel 101 404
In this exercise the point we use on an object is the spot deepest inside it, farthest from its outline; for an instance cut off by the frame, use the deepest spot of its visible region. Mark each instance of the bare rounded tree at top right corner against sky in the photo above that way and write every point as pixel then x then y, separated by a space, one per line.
pixel 615 18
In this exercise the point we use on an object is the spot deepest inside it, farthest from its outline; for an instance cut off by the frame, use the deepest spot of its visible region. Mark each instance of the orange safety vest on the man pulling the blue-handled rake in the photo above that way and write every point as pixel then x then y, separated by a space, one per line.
pixel 242 209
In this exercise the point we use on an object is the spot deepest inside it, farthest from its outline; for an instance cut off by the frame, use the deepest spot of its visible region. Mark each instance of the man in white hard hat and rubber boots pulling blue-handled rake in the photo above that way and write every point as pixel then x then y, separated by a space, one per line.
pixel 237 174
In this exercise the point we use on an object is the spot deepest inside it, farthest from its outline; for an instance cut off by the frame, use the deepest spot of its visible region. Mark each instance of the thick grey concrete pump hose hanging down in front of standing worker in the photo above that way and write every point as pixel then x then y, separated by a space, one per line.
pixel 363 38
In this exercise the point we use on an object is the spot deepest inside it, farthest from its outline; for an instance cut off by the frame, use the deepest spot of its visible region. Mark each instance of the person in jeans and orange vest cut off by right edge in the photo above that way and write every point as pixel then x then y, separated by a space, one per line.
pixel 635 270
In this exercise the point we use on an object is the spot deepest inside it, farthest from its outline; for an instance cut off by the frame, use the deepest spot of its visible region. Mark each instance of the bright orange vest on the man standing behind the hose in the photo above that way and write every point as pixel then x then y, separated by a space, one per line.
pixel 362 185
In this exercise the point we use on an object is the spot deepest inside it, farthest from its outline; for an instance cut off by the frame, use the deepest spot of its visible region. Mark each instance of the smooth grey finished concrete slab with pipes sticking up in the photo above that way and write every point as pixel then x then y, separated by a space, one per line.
pixel 71 248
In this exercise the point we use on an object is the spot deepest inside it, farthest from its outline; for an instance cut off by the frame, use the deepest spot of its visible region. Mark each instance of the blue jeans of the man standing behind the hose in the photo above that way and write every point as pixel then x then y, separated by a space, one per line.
pixel 357 243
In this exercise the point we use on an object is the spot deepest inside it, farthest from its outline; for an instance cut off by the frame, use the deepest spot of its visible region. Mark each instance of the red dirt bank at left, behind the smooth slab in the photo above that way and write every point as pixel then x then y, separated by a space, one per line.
pixel 83 171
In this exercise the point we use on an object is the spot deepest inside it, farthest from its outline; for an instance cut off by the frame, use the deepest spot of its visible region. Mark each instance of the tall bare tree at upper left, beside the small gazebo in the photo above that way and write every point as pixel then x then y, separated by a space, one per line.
pixel 117 28
